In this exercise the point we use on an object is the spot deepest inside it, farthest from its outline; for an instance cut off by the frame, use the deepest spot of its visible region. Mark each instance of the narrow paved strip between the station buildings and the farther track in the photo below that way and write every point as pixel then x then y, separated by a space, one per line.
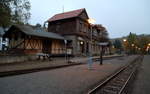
pixel 30 66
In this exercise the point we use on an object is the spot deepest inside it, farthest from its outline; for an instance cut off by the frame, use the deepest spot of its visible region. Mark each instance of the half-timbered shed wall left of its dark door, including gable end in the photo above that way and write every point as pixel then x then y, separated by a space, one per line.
pixel 29 45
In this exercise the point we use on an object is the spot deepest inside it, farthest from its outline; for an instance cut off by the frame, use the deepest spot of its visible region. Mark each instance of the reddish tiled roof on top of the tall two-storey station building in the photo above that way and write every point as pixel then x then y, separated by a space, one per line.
pixel 66 15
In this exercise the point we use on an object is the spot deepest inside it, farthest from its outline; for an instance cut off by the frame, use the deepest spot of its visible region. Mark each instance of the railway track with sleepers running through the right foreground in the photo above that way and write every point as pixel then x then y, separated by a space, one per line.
pixel 118 82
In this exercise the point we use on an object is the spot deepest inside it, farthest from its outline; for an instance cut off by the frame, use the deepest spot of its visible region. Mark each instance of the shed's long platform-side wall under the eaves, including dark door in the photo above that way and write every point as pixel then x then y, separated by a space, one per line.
pixel 53 47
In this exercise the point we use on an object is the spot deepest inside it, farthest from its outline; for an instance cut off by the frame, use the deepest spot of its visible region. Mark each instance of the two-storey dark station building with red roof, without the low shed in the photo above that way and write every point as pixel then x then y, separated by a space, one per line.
pixel 79 33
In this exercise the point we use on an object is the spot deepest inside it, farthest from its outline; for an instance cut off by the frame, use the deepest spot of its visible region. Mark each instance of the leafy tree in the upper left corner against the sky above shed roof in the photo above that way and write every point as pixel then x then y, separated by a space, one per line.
pixel 14 12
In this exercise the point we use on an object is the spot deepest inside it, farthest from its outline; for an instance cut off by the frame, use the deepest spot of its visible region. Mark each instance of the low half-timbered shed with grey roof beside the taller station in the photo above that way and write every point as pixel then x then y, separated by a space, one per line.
pixel 27 39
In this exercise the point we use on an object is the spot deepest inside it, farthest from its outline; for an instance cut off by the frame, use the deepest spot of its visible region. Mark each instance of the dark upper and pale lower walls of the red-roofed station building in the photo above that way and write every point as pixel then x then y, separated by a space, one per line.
pixel 72 29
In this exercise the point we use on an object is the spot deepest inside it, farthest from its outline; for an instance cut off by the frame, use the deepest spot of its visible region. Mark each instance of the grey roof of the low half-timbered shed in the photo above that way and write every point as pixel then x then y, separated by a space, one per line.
pixel 28 30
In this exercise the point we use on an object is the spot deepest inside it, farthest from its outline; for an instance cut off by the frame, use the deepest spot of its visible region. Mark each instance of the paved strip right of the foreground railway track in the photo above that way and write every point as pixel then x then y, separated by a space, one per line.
pixel 142 82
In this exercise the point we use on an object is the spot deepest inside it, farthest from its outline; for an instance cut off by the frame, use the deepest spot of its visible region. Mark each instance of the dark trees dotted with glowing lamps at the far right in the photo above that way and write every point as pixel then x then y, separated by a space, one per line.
pixel 134 44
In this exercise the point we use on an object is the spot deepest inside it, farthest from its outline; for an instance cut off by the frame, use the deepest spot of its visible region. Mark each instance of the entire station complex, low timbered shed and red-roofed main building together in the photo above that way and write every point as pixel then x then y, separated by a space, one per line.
pixel 67 33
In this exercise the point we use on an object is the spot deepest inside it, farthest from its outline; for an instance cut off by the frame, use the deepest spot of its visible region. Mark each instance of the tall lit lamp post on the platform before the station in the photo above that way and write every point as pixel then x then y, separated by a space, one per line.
pixel 90 21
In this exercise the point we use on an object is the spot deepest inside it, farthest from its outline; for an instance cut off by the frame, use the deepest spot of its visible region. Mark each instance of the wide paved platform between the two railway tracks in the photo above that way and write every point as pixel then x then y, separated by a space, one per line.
pixel 67 80
